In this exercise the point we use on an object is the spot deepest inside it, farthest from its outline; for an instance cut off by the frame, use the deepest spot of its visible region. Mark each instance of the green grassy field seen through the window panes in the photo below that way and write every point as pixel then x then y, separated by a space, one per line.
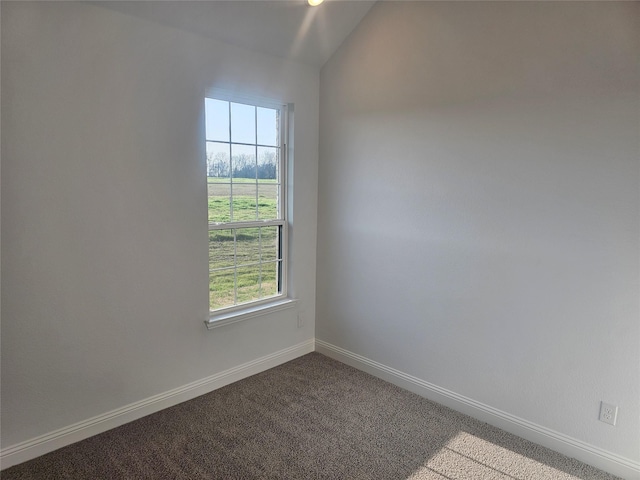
pixel 247 269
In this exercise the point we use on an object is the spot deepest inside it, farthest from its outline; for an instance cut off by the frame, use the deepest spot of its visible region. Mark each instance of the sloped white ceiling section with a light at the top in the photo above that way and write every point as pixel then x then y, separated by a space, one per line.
pixel 284 28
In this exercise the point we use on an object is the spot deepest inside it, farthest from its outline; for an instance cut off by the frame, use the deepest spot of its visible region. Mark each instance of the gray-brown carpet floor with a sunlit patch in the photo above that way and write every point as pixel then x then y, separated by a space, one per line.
pixel 311 418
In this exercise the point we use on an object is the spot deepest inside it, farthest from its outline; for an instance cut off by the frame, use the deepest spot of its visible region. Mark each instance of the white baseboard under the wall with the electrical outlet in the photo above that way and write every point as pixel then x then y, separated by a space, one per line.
pixel 571 447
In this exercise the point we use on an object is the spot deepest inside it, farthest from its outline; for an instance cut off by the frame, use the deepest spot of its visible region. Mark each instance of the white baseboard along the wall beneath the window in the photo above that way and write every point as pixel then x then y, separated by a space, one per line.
pixel 62 437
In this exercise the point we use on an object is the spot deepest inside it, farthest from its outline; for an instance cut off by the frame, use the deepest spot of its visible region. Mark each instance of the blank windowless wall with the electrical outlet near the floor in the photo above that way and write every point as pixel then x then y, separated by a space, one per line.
pixel 478 212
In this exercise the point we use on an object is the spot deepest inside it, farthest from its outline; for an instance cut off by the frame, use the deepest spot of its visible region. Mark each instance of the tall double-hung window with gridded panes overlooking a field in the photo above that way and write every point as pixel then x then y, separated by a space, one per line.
pixel 246 183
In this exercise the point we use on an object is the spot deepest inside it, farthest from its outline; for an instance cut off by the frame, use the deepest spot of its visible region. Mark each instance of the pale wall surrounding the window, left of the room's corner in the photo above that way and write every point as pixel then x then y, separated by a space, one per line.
pixel 104 237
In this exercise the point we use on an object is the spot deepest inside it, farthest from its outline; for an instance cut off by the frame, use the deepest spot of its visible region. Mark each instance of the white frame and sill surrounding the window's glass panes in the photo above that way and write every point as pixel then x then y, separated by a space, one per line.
pixel 226 315
